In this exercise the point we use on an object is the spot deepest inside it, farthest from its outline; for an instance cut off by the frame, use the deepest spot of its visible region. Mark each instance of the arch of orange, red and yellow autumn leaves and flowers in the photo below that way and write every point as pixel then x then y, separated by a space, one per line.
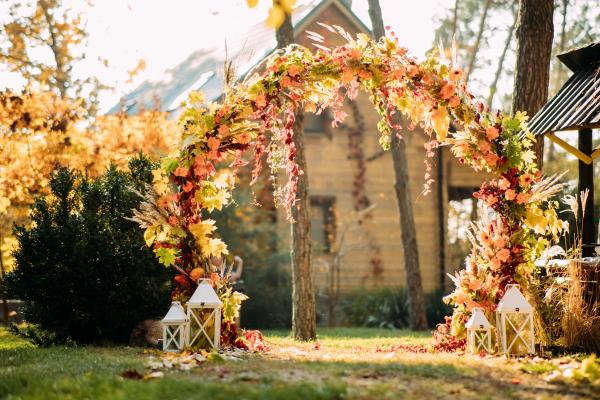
pixel 192 182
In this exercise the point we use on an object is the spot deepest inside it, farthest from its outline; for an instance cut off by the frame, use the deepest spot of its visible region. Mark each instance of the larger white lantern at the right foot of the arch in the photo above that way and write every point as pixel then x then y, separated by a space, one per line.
pixel 514 321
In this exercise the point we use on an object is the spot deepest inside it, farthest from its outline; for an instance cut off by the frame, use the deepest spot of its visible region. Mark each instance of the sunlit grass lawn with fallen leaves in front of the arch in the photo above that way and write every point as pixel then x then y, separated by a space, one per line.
pixel 347 363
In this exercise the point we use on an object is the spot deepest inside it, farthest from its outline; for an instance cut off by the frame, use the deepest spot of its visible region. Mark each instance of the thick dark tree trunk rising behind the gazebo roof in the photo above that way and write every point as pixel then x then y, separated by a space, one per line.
pixel 535 31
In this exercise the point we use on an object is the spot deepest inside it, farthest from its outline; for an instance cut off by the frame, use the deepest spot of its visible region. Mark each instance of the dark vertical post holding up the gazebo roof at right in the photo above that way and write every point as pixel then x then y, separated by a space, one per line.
pixel 586 181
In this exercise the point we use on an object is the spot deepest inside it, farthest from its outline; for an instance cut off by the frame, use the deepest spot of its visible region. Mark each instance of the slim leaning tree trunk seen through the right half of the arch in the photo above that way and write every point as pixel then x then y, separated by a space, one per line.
pixel 417 319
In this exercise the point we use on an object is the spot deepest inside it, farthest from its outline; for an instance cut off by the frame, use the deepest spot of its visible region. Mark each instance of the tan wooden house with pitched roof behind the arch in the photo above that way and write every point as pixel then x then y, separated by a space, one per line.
pixel 347 170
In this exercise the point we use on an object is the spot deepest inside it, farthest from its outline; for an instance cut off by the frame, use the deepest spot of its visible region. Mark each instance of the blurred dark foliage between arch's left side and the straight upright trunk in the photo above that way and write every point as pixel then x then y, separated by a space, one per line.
pixel 251 233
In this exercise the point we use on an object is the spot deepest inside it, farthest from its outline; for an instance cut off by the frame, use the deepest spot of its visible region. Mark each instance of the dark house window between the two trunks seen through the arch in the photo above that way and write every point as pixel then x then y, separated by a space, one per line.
pixel 322 222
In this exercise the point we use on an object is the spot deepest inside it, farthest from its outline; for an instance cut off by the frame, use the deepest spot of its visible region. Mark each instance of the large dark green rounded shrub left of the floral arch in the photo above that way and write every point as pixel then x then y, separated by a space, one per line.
pixel 83 269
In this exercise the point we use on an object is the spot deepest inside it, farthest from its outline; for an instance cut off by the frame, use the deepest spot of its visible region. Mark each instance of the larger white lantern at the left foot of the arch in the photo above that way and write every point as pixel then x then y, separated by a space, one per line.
pixel 204 313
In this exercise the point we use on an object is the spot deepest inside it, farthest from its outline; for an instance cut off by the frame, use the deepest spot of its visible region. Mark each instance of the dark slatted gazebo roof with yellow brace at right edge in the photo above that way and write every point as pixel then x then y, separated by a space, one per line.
pixel 577 103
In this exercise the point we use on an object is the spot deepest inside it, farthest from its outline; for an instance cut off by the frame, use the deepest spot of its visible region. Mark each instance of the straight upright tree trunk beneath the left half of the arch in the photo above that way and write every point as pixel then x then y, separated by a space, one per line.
pixel 303 294
